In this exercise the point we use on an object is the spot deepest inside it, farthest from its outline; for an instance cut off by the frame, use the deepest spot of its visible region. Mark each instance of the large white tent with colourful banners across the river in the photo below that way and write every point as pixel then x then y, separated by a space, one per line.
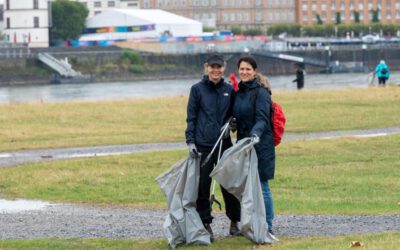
pixel 123 24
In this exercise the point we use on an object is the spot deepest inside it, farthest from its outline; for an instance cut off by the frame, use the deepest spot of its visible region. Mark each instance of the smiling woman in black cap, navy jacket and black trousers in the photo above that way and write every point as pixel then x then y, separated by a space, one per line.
pixel 209 108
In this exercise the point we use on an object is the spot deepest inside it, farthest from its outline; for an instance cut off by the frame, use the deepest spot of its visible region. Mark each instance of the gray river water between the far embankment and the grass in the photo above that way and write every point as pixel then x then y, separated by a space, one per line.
pixel 143 89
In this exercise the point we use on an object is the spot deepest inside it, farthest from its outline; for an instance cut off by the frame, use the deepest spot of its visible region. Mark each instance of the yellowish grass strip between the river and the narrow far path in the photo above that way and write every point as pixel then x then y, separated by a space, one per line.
pixel 53 125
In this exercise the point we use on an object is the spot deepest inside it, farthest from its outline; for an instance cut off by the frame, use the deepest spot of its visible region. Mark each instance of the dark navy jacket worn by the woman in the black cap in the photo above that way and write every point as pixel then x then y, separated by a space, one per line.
pixel 209 108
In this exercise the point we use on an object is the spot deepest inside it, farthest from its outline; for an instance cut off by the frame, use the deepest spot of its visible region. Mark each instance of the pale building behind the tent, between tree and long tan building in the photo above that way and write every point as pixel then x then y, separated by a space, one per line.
pixel 96 7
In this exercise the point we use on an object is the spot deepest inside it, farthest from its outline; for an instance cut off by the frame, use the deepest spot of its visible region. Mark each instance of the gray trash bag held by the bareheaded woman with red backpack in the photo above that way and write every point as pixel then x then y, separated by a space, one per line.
pixel 237 172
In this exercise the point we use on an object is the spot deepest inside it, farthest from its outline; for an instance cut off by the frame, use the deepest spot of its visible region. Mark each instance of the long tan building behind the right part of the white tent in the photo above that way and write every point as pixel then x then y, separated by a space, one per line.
pixel 227 13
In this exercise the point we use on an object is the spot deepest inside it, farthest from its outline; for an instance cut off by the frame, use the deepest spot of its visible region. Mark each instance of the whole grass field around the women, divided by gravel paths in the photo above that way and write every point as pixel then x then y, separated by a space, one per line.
pixel 340 176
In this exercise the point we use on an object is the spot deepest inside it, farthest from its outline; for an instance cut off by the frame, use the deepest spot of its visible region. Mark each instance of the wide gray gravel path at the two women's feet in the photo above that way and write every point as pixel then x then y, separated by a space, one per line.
pixel 65 221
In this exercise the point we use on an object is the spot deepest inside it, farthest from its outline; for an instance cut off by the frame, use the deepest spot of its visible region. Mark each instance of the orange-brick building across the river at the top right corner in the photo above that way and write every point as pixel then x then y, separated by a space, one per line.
pixel 307 11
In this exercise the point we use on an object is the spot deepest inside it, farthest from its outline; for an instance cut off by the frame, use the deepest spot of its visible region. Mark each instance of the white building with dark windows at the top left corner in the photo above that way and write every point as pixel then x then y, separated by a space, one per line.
pixel 26 22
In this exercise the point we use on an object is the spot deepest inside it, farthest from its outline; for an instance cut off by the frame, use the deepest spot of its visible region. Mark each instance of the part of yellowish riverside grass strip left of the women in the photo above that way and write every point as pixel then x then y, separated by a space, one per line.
pixel 54 125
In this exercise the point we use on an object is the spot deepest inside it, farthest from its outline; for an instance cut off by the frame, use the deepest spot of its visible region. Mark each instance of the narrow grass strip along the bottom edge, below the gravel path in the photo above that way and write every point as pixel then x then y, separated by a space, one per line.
pixel 371 242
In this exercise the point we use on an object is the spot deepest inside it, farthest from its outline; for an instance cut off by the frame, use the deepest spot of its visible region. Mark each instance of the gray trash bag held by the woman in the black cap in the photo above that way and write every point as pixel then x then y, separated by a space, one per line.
pixel 180 184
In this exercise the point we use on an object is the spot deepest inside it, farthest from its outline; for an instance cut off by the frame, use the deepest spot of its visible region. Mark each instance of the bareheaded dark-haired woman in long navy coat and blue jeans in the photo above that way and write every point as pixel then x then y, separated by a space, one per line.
pixel 252 112
